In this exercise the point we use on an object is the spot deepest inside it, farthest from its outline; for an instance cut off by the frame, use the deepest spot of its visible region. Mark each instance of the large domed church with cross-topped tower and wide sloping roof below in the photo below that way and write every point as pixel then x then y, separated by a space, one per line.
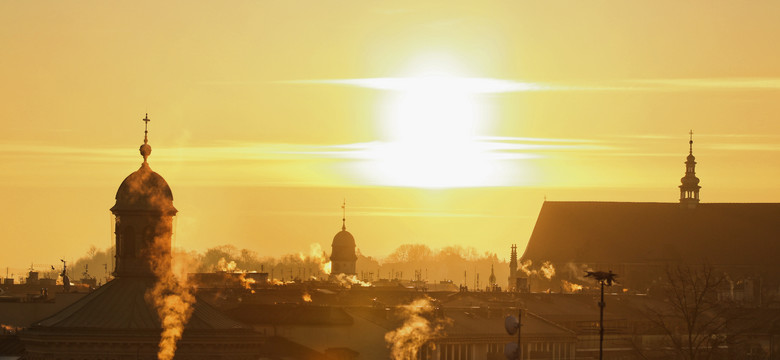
pixel 120 319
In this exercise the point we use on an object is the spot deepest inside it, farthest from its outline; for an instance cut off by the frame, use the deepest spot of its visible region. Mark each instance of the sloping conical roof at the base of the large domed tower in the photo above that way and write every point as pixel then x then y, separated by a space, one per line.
pixel 121 305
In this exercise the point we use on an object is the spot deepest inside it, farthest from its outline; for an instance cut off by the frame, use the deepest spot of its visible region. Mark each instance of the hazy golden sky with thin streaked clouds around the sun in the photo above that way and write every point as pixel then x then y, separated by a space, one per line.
pixel 445 122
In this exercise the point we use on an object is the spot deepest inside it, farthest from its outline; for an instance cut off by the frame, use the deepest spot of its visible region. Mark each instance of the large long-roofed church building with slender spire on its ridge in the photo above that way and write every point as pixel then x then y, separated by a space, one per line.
pixel 640 240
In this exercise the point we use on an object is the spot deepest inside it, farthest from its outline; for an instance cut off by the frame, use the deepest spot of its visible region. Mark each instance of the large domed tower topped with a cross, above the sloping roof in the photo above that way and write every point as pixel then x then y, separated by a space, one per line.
pixel 144 220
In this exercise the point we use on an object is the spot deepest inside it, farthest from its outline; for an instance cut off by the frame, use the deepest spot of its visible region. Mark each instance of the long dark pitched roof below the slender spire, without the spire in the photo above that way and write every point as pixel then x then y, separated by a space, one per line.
pixel 633 232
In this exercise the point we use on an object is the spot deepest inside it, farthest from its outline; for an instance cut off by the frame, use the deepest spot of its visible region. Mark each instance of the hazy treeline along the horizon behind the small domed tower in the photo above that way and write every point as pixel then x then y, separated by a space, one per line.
pixel 461 265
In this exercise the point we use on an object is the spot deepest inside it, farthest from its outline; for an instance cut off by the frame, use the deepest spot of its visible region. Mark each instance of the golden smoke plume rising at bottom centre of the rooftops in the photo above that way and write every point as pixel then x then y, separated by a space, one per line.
pixel 416 331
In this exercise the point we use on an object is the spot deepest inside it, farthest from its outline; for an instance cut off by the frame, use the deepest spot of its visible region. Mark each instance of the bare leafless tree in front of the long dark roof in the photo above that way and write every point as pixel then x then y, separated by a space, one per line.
pixel 694 323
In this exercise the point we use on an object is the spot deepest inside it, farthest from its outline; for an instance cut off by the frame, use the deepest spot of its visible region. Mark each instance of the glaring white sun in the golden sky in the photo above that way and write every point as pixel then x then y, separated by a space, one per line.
pixel 430 127
